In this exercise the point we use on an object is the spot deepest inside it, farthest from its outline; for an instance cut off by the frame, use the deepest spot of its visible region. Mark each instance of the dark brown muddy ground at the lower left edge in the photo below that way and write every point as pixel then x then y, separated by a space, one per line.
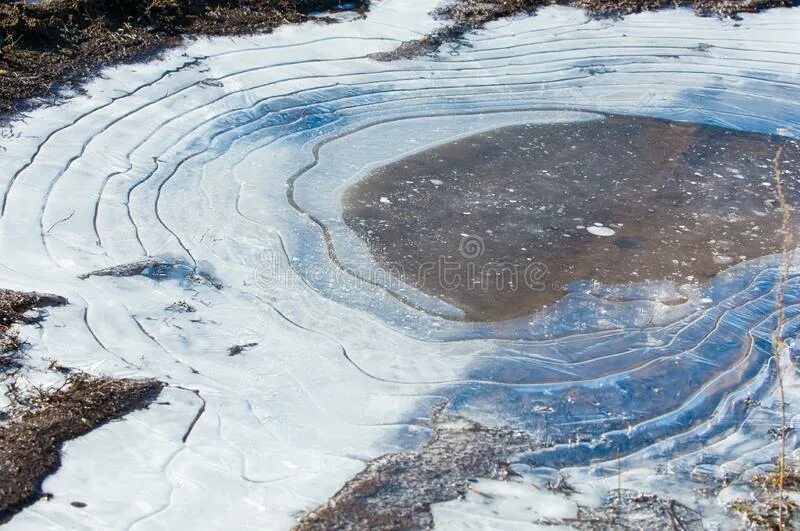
pixel 39 420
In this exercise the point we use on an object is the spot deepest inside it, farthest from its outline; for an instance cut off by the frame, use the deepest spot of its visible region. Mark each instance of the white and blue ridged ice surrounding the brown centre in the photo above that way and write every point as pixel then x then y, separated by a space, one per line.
pixel 231 156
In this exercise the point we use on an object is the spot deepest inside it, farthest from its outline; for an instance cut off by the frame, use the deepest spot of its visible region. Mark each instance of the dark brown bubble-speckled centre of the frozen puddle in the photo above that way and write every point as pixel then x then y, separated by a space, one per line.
pixel 499 223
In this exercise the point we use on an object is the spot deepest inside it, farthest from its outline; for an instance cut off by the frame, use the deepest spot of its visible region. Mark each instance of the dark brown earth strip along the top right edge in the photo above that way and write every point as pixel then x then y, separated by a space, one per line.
pixel 463 16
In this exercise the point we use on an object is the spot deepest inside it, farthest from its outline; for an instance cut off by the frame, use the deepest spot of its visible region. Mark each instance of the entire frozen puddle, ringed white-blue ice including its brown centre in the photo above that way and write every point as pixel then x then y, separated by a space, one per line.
pixel 240 192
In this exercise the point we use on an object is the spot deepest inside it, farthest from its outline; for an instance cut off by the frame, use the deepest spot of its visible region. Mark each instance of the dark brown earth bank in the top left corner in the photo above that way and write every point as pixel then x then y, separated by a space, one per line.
pixel 46 45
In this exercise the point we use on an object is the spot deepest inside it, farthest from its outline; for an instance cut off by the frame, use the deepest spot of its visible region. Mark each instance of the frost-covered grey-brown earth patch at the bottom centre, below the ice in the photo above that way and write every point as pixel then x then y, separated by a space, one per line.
pixel 395 491
